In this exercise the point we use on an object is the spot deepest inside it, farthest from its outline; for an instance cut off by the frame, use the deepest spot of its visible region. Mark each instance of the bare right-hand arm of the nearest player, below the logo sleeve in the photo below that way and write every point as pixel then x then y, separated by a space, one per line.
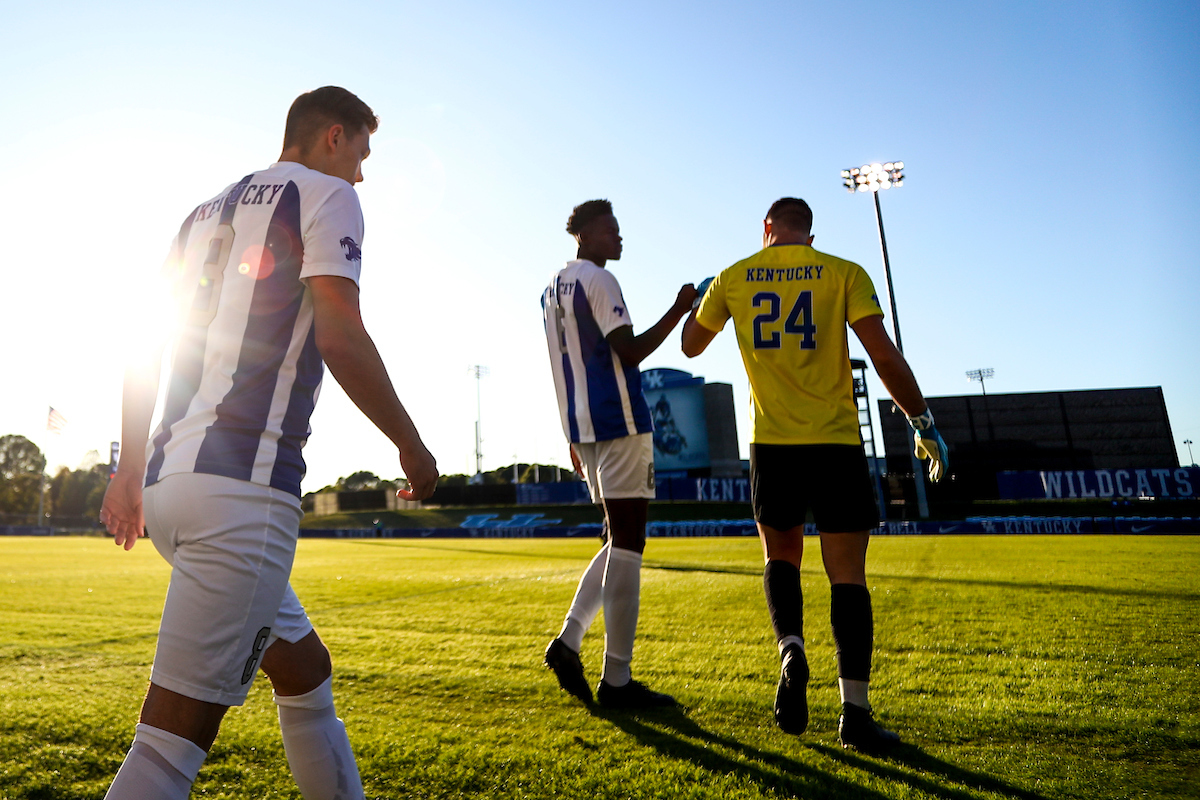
pixel 355 362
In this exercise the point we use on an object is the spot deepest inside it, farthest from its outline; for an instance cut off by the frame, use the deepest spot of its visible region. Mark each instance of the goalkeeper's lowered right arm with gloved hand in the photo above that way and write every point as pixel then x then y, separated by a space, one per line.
pixel 893 370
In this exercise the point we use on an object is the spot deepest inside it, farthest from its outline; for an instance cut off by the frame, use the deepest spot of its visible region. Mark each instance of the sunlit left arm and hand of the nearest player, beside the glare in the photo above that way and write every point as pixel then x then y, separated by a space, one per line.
pixel 122 512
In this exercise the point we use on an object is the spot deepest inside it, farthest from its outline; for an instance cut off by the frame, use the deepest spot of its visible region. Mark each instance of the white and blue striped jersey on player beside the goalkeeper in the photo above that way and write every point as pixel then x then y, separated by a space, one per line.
pixel 599 398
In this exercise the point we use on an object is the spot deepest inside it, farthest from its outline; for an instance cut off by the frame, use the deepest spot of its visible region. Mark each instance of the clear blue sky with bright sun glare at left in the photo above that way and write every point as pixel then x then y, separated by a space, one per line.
pixel 1043 230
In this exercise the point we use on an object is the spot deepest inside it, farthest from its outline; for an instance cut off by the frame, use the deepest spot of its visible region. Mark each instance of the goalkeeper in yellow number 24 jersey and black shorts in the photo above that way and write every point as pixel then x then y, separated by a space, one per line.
pixel 791 306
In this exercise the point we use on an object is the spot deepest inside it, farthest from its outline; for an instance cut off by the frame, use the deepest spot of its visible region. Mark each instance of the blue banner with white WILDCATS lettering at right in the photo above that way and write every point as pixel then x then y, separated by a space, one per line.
pixel 1082 484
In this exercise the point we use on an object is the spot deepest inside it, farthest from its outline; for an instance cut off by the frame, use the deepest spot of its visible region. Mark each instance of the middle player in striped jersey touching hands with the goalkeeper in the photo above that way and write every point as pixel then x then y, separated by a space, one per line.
pixel 595 359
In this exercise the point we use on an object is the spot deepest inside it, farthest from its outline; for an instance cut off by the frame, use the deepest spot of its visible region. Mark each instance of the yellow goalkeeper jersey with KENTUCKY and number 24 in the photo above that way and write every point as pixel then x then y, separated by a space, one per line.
pixel 791 306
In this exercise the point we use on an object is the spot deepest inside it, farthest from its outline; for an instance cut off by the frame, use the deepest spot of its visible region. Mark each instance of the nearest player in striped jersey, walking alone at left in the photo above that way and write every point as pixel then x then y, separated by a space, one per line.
pixel 265 285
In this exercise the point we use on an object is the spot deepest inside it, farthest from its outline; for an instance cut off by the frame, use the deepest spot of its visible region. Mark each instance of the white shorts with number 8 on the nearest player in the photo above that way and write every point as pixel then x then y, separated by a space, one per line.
pixel 231 546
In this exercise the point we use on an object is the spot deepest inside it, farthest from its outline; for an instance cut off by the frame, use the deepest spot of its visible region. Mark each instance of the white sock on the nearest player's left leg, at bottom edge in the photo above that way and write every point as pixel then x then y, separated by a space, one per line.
pixel 160 766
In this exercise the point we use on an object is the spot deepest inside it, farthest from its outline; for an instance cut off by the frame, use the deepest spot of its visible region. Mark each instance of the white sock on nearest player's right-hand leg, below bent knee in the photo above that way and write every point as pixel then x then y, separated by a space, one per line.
pixel 317 747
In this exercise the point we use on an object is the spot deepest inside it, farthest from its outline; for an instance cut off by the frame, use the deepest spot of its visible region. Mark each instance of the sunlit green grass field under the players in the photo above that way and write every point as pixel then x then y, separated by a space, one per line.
pixel 1015 667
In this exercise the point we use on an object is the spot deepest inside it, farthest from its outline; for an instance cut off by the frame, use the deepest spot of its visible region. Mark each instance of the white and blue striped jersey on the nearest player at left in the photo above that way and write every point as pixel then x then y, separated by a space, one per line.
pixel 245 370
